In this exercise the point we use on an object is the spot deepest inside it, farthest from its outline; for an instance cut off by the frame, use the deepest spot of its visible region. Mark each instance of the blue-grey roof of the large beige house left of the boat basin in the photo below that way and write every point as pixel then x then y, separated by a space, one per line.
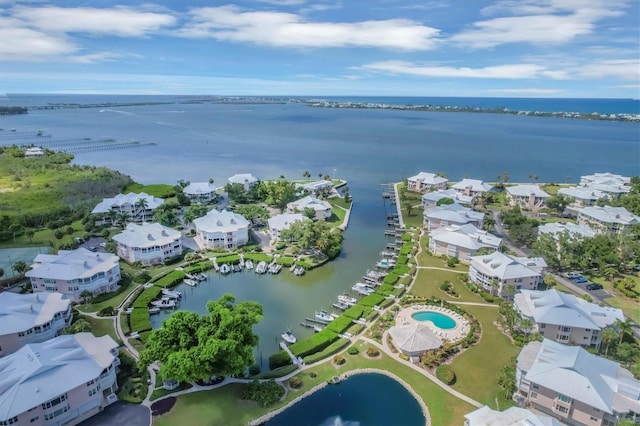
pixel 71 264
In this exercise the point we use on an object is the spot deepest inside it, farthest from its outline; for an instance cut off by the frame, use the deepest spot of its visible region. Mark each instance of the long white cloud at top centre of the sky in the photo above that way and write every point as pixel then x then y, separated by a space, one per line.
pixel 279 29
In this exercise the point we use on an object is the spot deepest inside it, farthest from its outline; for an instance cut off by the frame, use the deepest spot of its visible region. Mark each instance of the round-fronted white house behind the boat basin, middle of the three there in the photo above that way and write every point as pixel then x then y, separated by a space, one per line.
pixel 222 229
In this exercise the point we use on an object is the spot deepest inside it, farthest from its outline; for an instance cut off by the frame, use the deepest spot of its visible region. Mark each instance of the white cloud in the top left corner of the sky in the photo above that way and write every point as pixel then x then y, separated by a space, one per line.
pixel 118 21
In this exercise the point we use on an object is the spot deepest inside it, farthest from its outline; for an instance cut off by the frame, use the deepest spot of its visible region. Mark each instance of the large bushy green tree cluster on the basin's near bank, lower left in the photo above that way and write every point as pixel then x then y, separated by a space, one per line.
pixel 191 347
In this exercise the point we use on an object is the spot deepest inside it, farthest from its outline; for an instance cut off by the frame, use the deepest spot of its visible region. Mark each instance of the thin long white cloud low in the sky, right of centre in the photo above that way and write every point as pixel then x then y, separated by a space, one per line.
pixel 507 71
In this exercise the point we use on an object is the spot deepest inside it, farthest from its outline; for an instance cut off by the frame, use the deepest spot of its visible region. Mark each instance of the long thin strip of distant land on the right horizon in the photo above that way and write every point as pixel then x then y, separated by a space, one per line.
pixel 318 103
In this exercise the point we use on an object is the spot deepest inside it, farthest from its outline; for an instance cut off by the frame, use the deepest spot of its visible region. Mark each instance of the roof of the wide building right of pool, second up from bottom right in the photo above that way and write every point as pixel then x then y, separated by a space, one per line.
pixel 554 307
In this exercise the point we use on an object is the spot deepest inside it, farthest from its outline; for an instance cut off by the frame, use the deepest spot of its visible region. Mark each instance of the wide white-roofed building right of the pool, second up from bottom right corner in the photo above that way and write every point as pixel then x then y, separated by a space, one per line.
pixel 565 318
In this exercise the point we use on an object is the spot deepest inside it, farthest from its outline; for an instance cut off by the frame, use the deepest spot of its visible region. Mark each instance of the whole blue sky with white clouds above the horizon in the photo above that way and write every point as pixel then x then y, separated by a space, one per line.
pixel 522 48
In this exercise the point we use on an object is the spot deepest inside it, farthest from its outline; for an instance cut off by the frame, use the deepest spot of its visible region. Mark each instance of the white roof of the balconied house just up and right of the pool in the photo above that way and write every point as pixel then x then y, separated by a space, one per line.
pixel 505 267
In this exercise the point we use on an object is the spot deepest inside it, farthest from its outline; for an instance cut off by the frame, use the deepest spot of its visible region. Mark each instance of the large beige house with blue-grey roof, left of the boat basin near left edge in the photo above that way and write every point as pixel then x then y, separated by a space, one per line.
pixel 71 272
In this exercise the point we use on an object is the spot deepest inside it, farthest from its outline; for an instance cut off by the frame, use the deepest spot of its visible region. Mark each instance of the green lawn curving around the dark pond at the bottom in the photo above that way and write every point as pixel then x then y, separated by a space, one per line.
pixel 222 406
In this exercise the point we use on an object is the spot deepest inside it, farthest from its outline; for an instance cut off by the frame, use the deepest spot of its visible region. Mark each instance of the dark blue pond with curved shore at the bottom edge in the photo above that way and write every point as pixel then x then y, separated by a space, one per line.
pixel 361 400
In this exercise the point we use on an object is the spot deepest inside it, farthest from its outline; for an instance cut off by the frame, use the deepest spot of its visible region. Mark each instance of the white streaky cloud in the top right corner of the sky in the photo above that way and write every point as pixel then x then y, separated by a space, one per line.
pixel 538 22
